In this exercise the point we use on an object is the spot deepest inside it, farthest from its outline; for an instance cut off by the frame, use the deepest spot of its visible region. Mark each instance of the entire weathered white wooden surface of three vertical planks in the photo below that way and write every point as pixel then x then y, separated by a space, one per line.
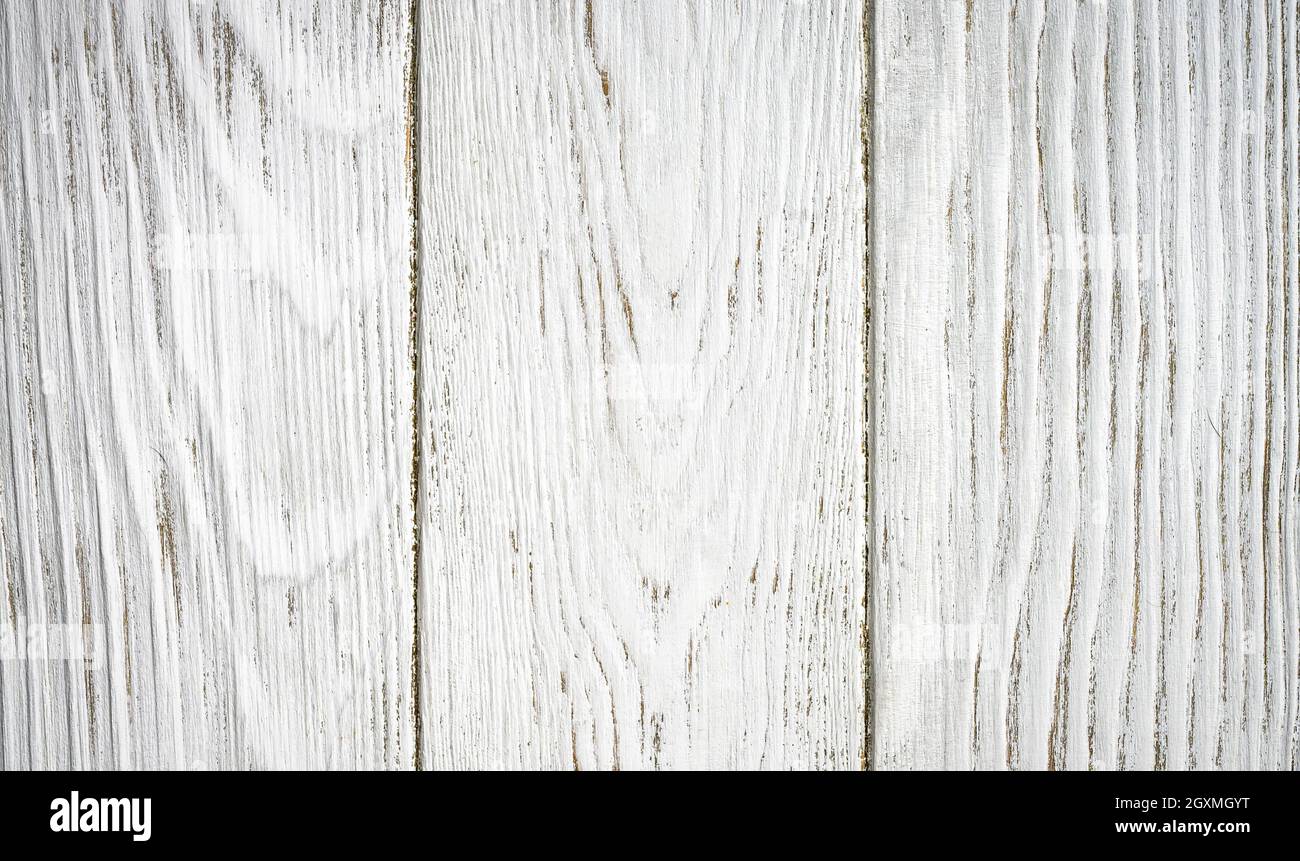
pixel 570 384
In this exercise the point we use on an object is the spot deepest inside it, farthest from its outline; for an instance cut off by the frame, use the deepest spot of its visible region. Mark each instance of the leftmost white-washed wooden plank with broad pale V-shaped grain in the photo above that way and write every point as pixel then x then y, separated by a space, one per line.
pixel 205 300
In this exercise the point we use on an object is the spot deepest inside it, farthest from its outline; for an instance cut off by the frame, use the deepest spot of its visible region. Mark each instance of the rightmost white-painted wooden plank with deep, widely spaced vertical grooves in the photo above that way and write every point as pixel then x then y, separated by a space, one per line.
pixel 1086 534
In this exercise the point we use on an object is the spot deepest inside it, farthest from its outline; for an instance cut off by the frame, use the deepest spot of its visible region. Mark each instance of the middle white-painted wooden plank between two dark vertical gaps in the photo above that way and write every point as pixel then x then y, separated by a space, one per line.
pixel 642 386
